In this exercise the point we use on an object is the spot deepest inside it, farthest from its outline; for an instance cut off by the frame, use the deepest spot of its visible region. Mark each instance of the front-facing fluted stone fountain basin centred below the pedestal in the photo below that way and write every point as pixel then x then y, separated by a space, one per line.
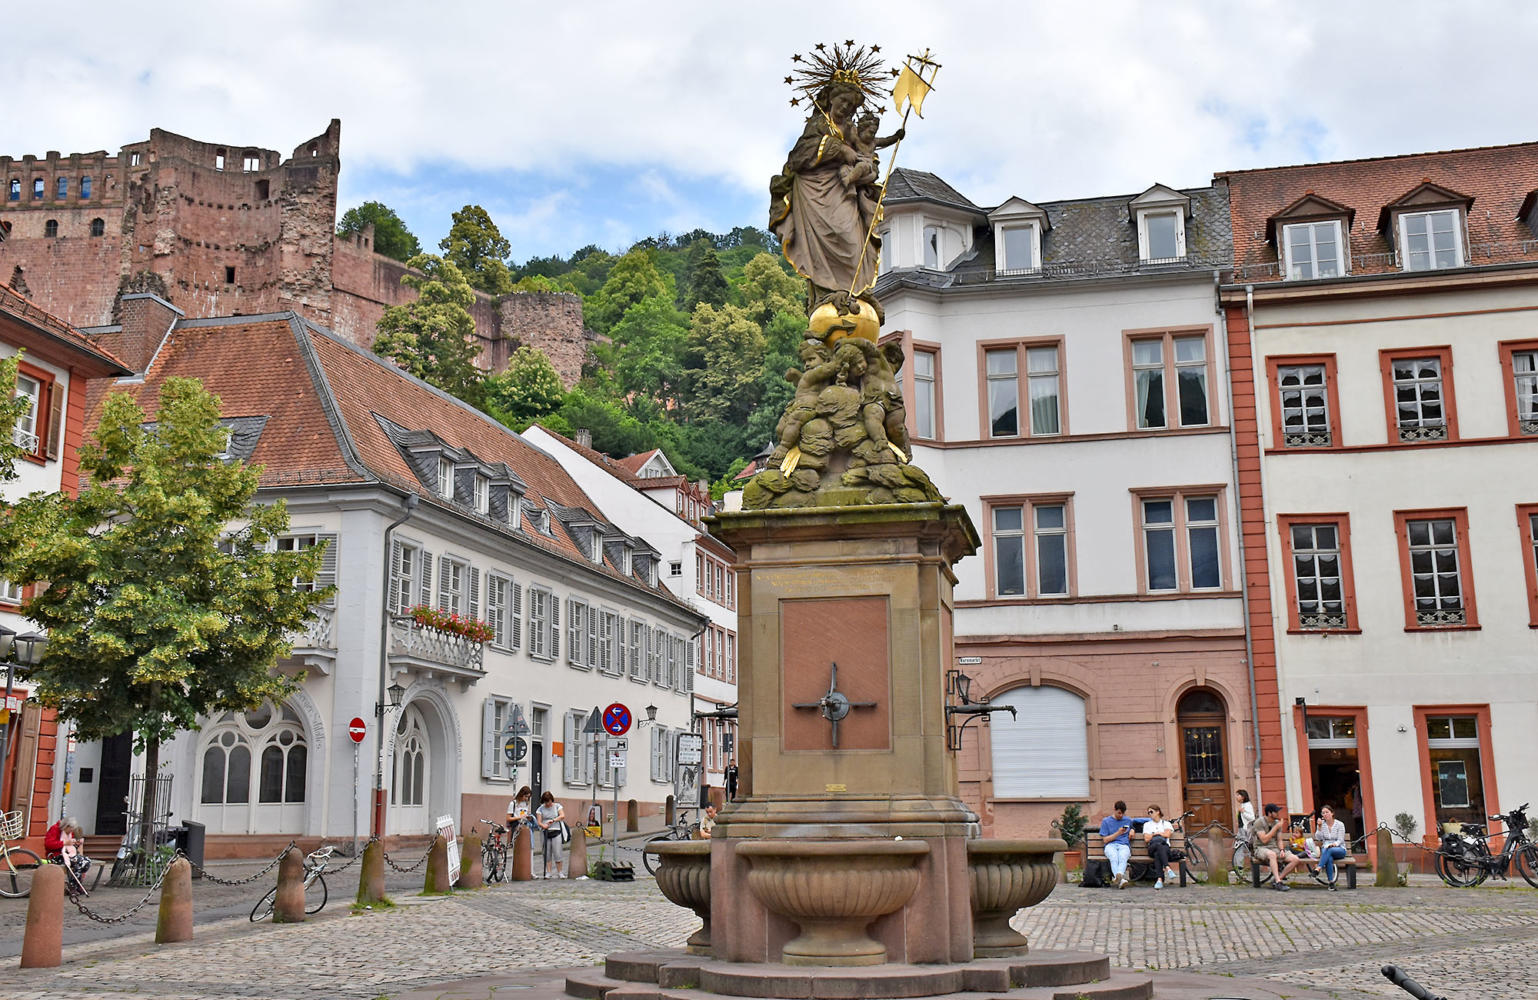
pixel 833 890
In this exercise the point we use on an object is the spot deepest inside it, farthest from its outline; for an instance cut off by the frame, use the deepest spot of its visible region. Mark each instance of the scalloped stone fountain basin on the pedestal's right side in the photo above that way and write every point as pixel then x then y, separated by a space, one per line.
pixel 1007 876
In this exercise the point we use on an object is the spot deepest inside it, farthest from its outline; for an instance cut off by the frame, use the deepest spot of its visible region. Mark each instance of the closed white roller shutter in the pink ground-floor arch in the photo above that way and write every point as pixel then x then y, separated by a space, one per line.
pixel 1044 753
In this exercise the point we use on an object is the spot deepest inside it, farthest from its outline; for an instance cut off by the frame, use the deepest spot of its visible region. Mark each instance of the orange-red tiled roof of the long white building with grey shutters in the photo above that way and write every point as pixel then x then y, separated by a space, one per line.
pixel 324 398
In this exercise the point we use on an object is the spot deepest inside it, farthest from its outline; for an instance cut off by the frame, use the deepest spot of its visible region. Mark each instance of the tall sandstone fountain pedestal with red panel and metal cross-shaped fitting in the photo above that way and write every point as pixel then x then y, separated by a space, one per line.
pixel 868 588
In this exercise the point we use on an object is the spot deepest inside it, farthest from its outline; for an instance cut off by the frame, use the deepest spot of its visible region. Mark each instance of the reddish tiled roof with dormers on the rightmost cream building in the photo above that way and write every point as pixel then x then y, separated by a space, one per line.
pixel 1496 178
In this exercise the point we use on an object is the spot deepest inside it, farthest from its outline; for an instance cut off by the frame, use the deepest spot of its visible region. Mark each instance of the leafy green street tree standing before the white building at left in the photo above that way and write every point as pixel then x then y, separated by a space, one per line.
pixel 158 613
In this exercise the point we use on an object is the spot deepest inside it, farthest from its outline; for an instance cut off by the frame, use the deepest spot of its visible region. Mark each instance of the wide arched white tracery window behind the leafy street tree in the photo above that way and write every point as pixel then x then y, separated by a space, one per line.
pixel 253 773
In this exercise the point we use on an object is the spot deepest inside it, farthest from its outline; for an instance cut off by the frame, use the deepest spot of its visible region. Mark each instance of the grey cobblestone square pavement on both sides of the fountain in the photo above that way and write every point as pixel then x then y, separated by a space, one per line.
pixel 1470 944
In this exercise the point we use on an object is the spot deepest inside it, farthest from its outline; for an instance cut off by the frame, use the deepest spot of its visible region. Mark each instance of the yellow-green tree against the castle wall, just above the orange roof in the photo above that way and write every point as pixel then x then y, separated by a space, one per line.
pixel 434 338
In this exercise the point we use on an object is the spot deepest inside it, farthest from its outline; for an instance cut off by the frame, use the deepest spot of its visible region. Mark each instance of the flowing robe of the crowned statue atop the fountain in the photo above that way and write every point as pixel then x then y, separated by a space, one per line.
pixel 821 222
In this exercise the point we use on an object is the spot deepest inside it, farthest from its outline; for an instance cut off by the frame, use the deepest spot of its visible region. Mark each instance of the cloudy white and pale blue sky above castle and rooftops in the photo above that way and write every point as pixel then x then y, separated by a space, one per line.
pixel 604 122
